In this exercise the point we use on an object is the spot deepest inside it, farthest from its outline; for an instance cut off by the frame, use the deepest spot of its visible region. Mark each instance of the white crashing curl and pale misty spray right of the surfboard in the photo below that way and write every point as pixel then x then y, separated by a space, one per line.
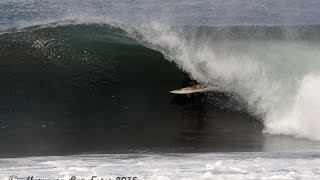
pixel 275 70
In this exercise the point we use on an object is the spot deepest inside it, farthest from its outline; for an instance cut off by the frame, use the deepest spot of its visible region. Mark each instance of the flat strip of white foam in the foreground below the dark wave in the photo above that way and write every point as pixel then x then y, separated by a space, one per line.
pixel 169 166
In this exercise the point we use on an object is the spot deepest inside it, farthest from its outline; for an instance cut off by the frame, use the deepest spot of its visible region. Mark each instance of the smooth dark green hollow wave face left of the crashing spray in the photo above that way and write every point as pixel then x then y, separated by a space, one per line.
pixel 89 88
